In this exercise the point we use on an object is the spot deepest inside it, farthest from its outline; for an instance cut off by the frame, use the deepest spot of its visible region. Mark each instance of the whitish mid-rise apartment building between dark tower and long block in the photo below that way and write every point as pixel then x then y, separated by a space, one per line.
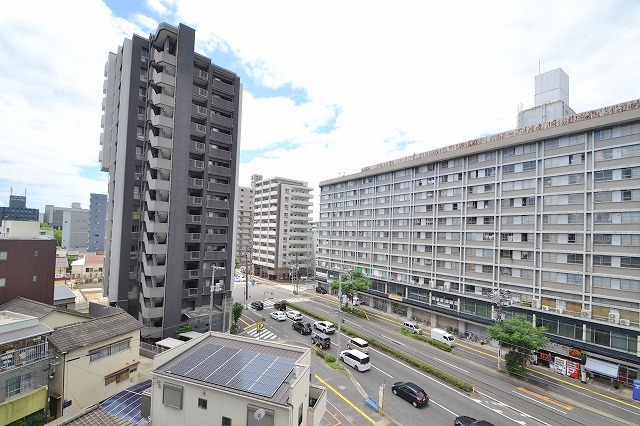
pixel 282 236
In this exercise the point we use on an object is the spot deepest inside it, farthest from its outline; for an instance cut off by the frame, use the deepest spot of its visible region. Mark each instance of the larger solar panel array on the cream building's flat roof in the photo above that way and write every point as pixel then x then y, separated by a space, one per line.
pixel 239 369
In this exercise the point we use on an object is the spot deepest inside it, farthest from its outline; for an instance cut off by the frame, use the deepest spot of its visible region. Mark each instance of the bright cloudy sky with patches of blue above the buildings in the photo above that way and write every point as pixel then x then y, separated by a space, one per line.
pixel 329 87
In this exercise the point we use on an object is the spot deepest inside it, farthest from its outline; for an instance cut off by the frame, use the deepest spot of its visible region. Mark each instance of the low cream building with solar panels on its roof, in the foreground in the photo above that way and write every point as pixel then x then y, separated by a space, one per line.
pixel 230 380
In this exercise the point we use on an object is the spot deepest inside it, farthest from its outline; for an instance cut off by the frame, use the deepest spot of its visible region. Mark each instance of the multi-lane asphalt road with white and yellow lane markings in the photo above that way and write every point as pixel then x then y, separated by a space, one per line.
pixel 543 399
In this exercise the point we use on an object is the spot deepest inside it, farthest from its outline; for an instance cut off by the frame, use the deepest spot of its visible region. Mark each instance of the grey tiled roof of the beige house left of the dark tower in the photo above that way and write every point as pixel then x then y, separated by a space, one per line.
pixel 93 331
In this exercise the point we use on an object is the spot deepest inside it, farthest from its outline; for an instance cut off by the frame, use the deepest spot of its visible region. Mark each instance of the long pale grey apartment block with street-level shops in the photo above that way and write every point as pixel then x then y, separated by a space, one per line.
pixel 541 221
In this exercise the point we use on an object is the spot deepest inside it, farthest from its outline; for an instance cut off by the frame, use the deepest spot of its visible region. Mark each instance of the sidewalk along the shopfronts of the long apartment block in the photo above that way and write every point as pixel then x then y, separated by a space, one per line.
pixel 600 386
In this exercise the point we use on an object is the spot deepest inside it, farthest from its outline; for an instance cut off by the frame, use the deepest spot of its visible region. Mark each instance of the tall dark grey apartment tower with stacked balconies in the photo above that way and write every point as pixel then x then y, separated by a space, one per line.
pixel 170 145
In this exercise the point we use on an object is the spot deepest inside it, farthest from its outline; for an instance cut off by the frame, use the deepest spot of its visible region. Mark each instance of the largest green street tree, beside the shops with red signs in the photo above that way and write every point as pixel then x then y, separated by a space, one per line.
pixel 522 338
